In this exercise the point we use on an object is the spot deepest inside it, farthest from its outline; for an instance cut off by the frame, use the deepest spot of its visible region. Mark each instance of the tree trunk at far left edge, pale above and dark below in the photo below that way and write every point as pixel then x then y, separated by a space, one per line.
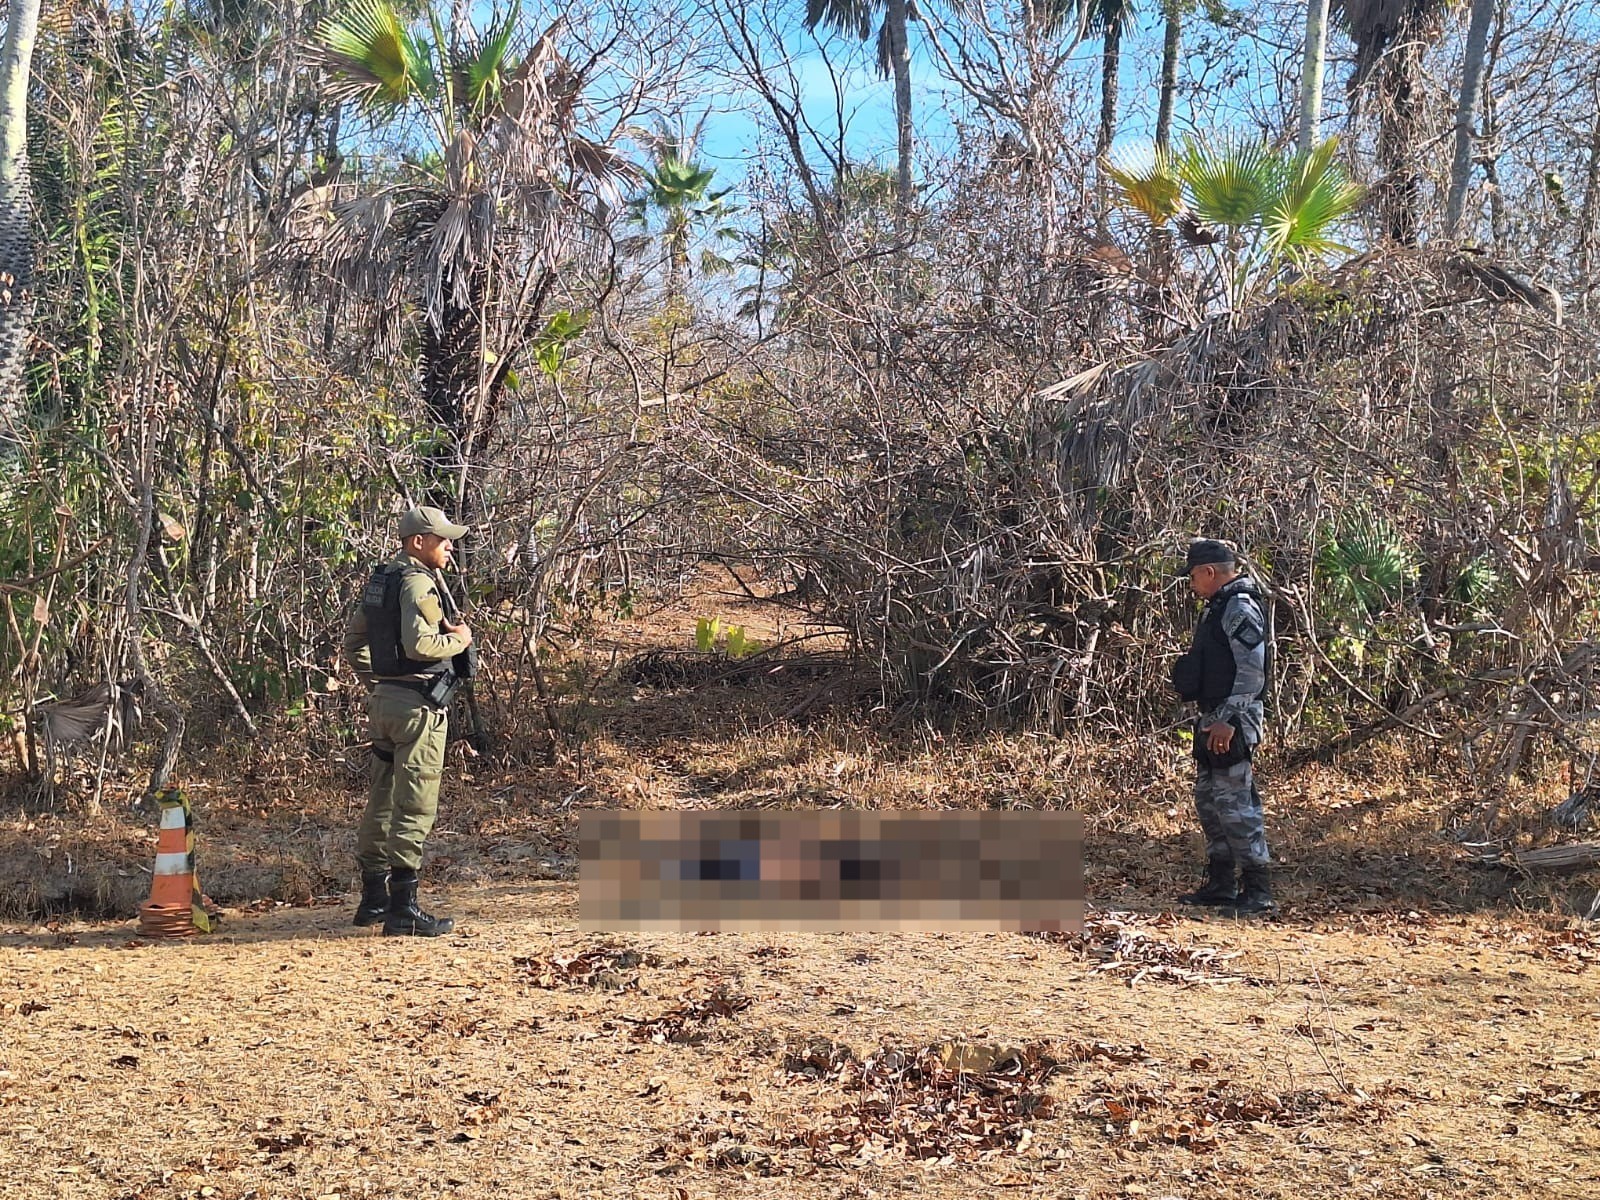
pixel 17 228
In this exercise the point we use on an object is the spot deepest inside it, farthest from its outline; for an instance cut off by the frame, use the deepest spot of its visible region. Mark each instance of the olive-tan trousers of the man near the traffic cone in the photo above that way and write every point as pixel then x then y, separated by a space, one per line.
pixel 409 759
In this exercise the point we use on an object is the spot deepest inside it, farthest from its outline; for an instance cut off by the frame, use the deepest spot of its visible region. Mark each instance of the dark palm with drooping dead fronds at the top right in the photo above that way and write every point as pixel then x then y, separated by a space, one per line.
pixel 1391 39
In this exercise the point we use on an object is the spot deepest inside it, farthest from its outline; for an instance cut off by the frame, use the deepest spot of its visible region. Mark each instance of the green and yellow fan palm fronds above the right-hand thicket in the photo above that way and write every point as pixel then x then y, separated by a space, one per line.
pixel 1255 207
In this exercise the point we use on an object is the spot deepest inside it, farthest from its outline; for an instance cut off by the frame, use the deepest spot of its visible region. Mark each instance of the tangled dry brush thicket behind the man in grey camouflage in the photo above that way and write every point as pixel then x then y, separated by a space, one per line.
pixel 1007 540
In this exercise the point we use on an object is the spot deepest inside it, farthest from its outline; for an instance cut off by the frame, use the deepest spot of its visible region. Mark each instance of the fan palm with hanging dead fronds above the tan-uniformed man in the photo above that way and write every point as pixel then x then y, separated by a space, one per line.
pixel 474 231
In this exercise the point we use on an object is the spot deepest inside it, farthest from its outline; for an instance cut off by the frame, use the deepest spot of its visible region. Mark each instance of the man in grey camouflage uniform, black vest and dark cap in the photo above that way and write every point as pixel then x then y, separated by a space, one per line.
pixel 1226 674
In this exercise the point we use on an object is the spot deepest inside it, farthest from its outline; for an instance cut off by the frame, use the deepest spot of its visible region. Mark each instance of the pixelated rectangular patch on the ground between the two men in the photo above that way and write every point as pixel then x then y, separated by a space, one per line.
pixel 838 871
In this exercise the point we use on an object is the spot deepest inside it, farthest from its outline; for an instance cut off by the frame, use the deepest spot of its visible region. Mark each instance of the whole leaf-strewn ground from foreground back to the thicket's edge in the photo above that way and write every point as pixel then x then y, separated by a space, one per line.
pixel 1409 1028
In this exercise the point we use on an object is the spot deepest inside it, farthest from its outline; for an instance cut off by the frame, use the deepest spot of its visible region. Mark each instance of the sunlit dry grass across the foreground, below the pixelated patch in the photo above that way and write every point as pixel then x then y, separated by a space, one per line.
pixel 297 1057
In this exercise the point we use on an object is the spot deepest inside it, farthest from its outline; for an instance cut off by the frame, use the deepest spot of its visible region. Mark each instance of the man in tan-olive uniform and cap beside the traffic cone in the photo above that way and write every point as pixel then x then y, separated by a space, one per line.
pixel 402 647
